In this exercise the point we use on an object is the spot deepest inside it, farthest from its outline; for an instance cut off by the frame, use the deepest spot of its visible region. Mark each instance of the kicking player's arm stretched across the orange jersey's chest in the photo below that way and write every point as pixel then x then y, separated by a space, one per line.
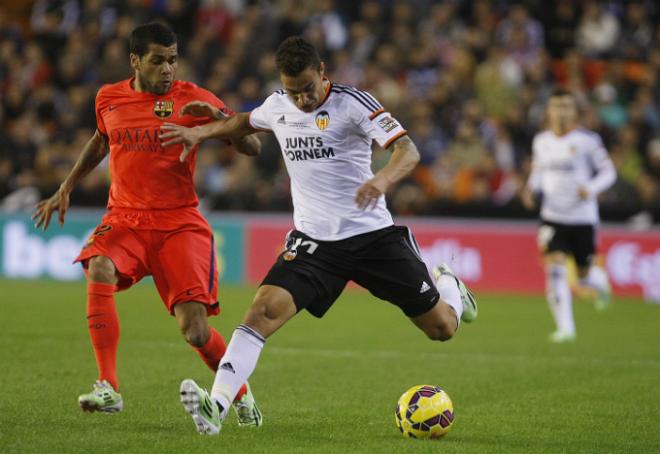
pixel 232 128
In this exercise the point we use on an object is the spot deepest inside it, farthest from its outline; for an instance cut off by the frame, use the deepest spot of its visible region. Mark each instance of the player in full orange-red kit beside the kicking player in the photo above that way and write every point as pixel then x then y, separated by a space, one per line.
pixel 152 225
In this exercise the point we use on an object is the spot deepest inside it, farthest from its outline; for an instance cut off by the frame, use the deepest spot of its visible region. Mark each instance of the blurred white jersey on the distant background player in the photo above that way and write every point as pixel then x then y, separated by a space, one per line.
pixel 563 164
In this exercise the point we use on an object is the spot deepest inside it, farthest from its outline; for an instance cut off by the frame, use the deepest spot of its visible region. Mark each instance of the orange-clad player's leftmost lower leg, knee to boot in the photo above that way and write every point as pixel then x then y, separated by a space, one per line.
pixel 103 327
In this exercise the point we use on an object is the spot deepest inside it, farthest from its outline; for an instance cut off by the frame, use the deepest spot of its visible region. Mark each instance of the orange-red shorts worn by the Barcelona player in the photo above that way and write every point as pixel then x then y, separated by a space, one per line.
pixel 182 261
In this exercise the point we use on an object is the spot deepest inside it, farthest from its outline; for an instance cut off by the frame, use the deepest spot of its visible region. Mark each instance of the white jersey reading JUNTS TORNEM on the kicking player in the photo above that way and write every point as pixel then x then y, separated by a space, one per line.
pixel 328 156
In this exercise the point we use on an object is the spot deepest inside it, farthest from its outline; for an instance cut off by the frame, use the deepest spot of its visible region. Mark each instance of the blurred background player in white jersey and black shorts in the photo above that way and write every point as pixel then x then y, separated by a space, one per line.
pixel 570 167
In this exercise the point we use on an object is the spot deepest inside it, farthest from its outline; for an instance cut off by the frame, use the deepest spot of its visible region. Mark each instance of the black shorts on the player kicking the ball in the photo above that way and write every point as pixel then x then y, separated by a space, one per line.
pixel 386 262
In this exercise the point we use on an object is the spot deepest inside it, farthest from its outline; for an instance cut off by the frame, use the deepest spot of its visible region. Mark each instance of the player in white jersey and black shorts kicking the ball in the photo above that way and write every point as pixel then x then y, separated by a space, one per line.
pixel 343 228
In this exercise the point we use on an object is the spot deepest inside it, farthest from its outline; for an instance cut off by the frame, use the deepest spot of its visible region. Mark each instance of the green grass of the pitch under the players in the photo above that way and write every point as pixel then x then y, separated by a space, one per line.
pixel 331 385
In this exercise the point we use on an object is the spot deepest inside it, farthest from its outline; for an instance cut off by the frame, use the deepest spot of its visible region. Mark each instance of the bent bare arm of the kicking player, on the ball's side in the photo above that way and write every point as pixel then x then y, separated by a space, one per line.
pixel 404 159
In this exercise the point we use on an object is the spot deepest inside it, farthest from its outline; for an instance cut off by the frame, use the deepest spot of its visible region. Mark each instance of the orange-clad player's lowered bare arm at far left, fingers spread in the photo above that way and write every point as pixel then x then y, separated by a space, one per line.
pixel 93 153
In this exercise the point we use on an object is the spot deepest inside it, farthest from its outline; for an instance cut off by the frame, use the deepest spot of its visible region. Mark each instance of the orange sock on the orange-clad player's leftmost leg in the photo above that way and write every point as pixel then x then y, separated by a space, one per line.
pixel 103 327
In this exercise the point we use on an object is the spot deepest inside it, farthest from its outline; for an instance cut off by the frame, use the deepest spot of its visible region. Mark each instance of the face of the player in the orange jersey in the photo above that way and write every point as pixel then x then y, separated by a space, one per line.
pixel 156 69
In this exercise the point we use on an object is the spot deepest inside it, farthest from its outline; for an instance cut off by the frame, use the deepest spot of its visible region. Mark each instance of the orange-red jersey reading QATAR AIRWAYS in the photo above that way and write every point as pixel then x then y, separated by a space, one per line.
pixel 146 176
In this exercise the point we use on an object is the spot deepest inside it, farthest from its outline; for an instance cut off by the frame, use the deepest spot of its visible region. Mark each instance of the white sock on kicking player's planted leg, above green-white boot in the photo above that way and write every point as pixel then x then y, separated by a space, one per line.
pixel 236 365
